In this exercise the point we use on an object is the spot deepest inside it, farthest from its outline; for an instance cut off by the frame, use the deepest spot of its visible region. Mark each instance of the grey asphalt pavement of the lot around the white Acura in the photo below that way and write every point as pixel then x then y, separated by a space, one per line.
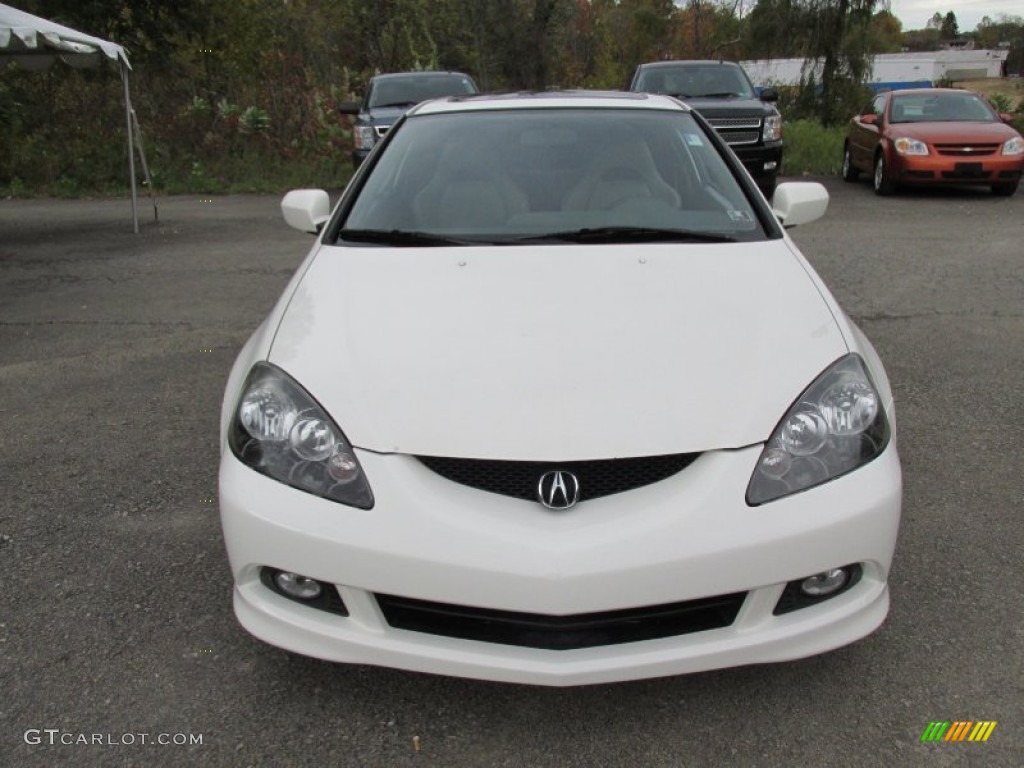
pixel 116 626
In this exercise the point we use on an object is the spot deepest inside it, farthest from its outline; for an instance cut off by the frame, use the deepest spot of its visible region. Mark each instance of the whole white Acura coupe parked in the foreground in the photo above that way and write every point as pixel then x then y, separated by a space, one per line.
pixel 556 400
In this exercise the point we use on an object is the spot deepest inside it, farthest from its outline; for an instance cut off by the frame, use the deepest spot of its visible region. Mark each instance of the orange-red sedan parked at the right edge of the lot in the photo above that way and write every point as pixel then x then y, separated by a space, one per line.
pixel 933 137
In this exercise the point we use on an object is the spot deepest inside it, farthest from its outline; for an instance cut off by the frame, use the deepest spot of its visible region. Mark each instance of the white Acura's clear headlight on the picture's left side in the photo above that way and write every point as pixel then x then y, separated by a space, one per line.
pixel 281 432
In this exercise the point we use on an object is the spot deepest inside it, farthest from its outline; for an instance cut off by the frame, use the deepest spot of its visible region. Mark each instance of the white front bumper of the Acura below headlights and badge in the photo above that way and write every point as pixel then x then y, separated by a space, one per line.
pixel 688 538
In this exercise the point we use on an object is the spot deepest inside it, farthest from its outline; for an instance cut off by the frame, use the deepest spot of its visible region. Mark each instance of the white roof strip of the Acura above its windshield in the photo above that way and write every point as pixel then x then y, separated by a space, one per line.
pixel 550 100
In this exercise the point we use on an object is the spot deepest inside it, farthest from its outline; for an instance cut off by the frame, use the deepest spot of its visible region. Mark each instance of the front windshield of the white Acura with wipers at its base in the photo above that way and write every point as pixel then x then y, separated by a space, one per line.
pixel 567 176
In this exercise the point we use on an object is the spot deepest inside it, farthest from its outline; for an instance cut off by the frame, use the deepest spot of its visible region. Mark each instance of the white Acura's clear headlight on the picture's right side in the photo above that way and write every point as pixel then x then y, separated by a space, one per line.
pixel 836 426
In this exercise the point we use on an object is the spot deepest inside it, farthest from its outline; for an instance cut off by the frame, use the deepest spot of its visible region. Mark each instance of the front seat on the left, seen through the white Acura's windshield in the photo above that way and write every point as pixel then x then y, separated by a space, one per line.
pixel 470 191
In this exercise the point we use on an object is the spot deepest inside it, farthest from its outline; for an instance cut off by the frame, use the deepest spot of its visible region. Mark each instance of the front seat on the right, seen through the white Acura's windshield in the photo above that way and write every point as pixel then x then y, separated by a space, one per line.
pixel 625 172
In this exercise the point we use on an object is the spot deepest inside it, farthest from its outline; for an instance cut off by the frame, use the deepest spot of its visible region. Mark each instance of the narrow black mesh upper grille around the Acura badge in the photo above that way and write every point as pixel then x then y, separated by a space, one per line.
pixel 596 478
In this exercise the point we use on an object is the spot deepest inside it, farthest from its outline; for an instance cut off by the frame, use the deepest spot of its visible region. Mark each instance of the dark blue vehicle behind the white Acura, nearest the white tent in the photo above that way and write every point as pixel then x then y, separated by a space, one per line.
pixel 390 97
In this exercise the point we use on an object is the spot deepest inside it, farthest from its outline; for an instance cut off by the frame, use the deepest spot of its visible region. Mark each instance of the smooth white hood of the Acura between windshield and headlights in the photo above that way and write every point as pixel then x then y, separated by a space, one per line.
pixel 562 353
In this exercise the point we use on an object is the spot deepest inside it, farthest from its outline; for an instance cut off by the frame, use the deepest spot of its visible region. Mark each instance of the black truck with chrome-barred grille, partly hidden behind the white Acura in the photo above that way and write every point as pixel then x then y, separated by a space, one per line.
pixel 724 97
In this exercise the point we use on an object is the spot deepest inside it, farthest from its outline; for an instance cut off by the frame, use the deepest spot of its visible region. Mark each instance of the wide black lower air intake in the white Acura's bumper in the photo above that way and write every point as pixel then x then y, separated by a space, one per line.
pixel 562 633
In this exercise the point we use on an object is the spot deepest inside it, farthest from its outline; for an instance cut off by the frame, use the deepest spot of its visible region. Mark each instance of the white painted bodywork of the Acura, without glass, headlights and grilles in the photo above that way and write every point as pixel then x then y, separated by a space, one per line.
pixel 527 353
